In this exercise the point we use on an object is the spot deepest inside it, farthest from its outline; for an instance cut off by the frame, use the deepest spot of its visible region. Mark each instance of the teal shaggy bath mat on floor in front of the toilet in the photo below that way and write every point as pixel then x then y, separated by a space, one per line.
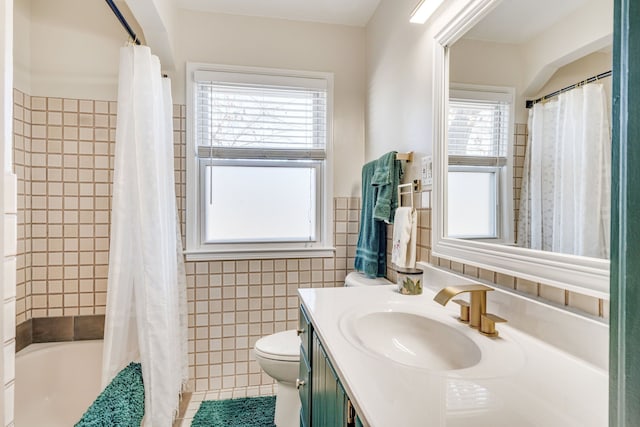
pixel 243 412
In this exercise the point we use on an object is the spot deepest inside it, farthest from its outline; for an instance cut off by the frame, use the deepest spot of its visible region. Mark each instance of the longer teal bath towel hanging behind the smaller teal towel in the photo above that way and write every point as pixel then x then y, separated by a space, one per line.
pixel 372 239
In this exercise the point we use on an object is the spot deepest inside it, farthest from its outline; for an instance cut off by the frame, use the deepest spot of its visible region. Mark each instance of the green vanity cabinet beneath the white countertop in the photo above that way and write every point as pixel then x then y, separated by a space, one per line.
pixel 324 402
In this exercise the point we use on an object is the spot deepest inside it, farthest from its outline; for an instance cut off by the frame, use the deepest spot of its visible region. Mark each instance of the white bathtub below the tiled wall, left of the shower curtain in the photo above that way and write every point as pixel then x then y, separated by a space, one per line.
pixel 56 382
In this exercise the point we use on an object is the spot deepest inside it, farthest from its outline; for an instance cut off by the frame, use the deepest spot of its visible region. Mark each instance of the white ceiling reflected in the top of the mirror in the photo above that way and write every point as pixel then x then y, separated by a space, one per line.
pixel 518 21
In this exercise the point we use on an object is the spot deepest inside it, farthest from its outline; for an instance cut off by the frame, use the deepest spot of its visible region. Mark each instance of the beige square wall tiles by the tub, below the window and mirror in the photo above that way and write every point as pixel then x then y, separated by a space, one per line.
pixel 63 158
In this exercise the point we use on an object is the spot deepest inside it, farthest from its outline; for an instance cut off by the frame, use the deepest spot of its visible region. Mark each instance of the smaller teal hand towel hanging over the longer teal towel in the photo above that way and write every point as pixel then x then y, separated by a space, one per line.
pixel 387 175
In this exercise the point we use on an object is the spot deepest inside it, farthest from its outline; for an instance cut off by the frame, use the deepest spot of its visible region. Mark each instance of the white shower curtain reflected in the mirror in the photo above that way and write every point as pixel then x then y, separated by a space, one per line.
pixel 565 198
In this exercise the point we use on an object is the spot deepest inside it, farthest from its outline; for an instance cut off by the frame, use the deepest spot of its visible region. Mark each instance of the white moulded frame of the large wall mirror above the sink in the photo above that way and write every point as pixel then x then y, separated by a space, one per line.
pixel 589 276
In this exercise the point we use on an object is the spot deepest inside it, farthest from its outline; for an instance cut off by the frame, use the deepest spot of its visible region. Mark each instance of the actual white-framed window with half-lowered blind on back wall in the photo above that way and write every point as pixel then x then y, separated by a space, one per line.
pixel 258 176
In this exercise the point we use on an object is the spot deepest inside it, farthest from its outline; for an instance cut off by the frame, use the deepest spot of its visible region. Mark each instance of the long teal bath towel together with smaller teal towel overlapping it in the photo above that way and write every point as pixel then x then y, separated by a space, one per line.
pixel 380 180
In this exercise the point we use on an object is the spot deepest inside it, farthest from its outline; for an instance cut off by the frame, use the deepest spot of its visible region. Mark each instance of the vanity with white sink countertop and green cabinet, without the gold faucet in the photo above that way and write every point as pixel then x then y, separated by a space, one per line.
pixel 374 357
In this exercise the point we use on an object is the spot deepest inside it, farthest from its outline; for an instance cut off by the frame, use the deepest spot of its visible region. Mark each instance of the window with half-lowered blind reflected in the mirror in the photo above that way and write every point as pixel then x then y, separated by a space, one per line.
pixel 479 148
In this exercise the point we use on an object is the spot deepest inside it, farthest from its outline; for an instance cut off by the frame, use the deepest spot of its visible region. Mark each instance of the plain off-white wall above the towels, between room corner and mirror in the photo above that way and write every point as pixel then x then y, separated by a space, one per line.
pixel 399 69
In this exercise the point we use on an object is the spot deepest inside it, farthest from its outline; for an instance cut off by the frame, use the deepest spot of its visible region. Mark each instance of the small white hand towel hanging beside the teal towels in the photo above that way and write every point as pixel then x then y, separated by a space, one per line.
pixel 403 252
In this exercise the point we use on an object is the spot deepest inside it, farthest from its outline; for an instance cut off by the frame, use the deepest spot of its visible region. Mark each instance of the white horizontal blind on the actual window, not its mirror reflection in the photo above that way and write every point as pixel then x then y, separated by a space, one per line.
pixel 236 117
